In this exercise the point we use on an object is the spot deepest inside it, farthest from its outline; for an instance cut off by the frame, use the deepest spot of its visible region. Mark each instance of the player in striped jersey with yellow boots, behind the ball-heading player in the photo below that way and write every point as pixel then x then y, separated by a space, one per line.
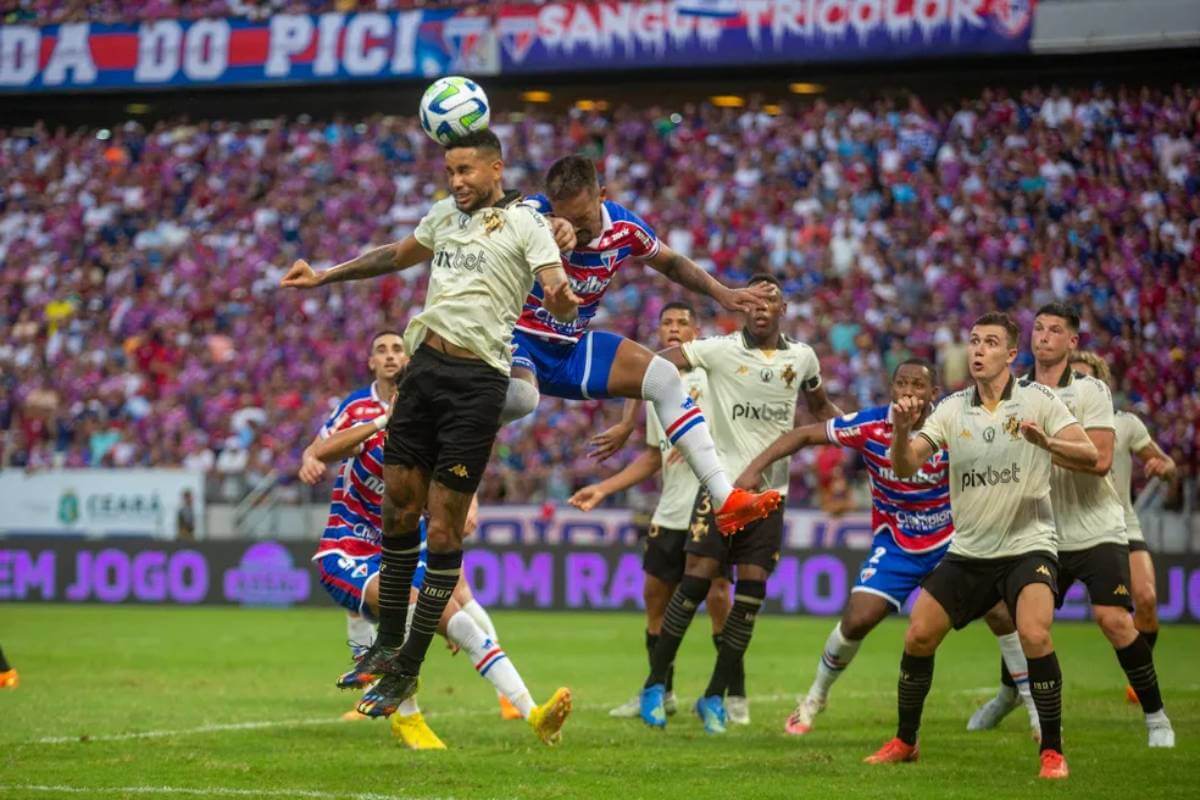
pixel 349 555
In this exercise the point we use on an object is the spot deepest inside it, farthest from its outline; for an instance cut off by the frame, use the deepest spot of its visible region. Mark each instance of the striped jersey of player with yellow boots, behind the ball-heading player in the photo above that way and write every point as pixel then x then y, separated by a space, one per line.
pixel 353 528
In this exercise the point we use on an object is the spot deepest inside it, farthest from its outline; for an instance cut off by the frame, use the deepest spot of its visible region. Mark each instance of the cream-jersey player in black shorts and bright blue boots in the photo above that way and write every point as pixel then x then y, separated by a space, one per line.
pixel 755 378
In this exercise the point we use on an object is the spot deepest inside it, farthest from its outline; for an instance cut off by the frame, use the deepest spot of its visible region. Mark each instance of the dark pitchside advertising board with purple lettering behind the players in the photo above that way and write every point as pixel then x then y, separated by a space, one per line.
pixel 547 578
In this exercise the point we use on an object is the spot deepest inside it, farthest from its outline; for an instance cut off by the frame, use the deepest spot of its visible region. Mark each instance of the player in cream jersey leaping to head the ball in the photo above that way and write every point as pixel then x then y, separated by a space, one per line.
pixel 487 250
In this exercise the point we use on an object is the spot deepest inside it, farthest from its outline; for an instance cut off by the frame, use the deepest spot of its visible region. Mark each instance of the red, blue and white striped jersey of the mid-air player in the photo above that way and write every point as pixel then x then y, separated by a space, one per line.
pixel 591 269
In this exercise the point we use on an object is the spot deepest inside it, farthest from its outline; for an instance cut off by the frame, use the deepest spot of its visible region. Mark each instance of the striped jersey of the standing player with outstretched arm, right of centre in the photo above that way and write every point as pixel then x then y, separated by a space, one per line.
pixel 916 512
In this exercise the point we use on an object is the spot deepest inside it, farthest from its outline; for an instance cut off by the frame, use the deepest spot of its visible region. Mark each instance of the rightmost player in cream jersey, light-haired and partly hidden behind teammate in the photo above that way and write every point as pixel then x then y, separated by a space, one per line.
pixel 1133 440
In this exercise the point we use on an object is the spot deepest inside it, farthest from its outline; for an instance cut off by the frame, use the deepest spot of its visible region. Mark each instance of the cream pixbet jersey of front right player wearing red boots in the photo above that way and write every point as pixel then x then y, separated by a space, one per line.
pixel 1000 484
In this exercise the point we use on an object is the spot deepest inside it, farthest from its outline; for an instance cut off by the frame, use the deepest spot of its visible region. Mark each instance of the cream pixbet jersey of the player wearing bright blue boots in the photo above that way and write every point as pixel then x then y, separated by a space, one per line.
pixel 753 398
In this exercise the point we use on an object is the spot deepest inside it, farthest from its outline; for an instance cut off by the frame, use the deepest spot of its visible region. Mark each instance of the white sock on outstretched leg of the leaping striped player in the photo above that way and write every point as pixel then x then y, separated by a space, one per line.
pixel 686 428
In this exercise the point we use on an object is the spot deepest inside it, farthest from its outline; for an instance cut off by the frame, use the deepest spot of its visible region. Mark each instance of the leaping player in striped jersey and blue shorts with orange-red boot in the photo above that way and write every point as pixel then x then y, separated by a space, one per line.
pixel 571 362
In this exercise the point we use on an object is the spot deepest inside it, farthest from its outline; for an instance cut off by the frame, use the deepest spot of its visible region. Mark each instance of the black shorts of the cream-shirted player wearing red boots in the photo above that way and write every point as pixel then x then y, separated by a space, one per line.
pixel 969 588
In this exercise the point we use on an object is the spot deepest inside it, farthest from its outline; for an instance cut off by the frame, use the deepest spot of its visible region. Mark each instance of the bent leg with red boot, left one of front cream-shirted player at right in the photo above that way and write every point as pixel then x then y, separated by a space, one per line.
pixel 928 627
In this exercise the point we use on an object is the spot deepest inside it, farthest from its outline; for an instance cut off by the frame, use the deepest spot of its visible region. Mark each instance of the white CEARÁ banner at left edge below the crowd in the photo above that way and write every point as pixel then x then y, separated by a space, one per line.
pixel 100 502
